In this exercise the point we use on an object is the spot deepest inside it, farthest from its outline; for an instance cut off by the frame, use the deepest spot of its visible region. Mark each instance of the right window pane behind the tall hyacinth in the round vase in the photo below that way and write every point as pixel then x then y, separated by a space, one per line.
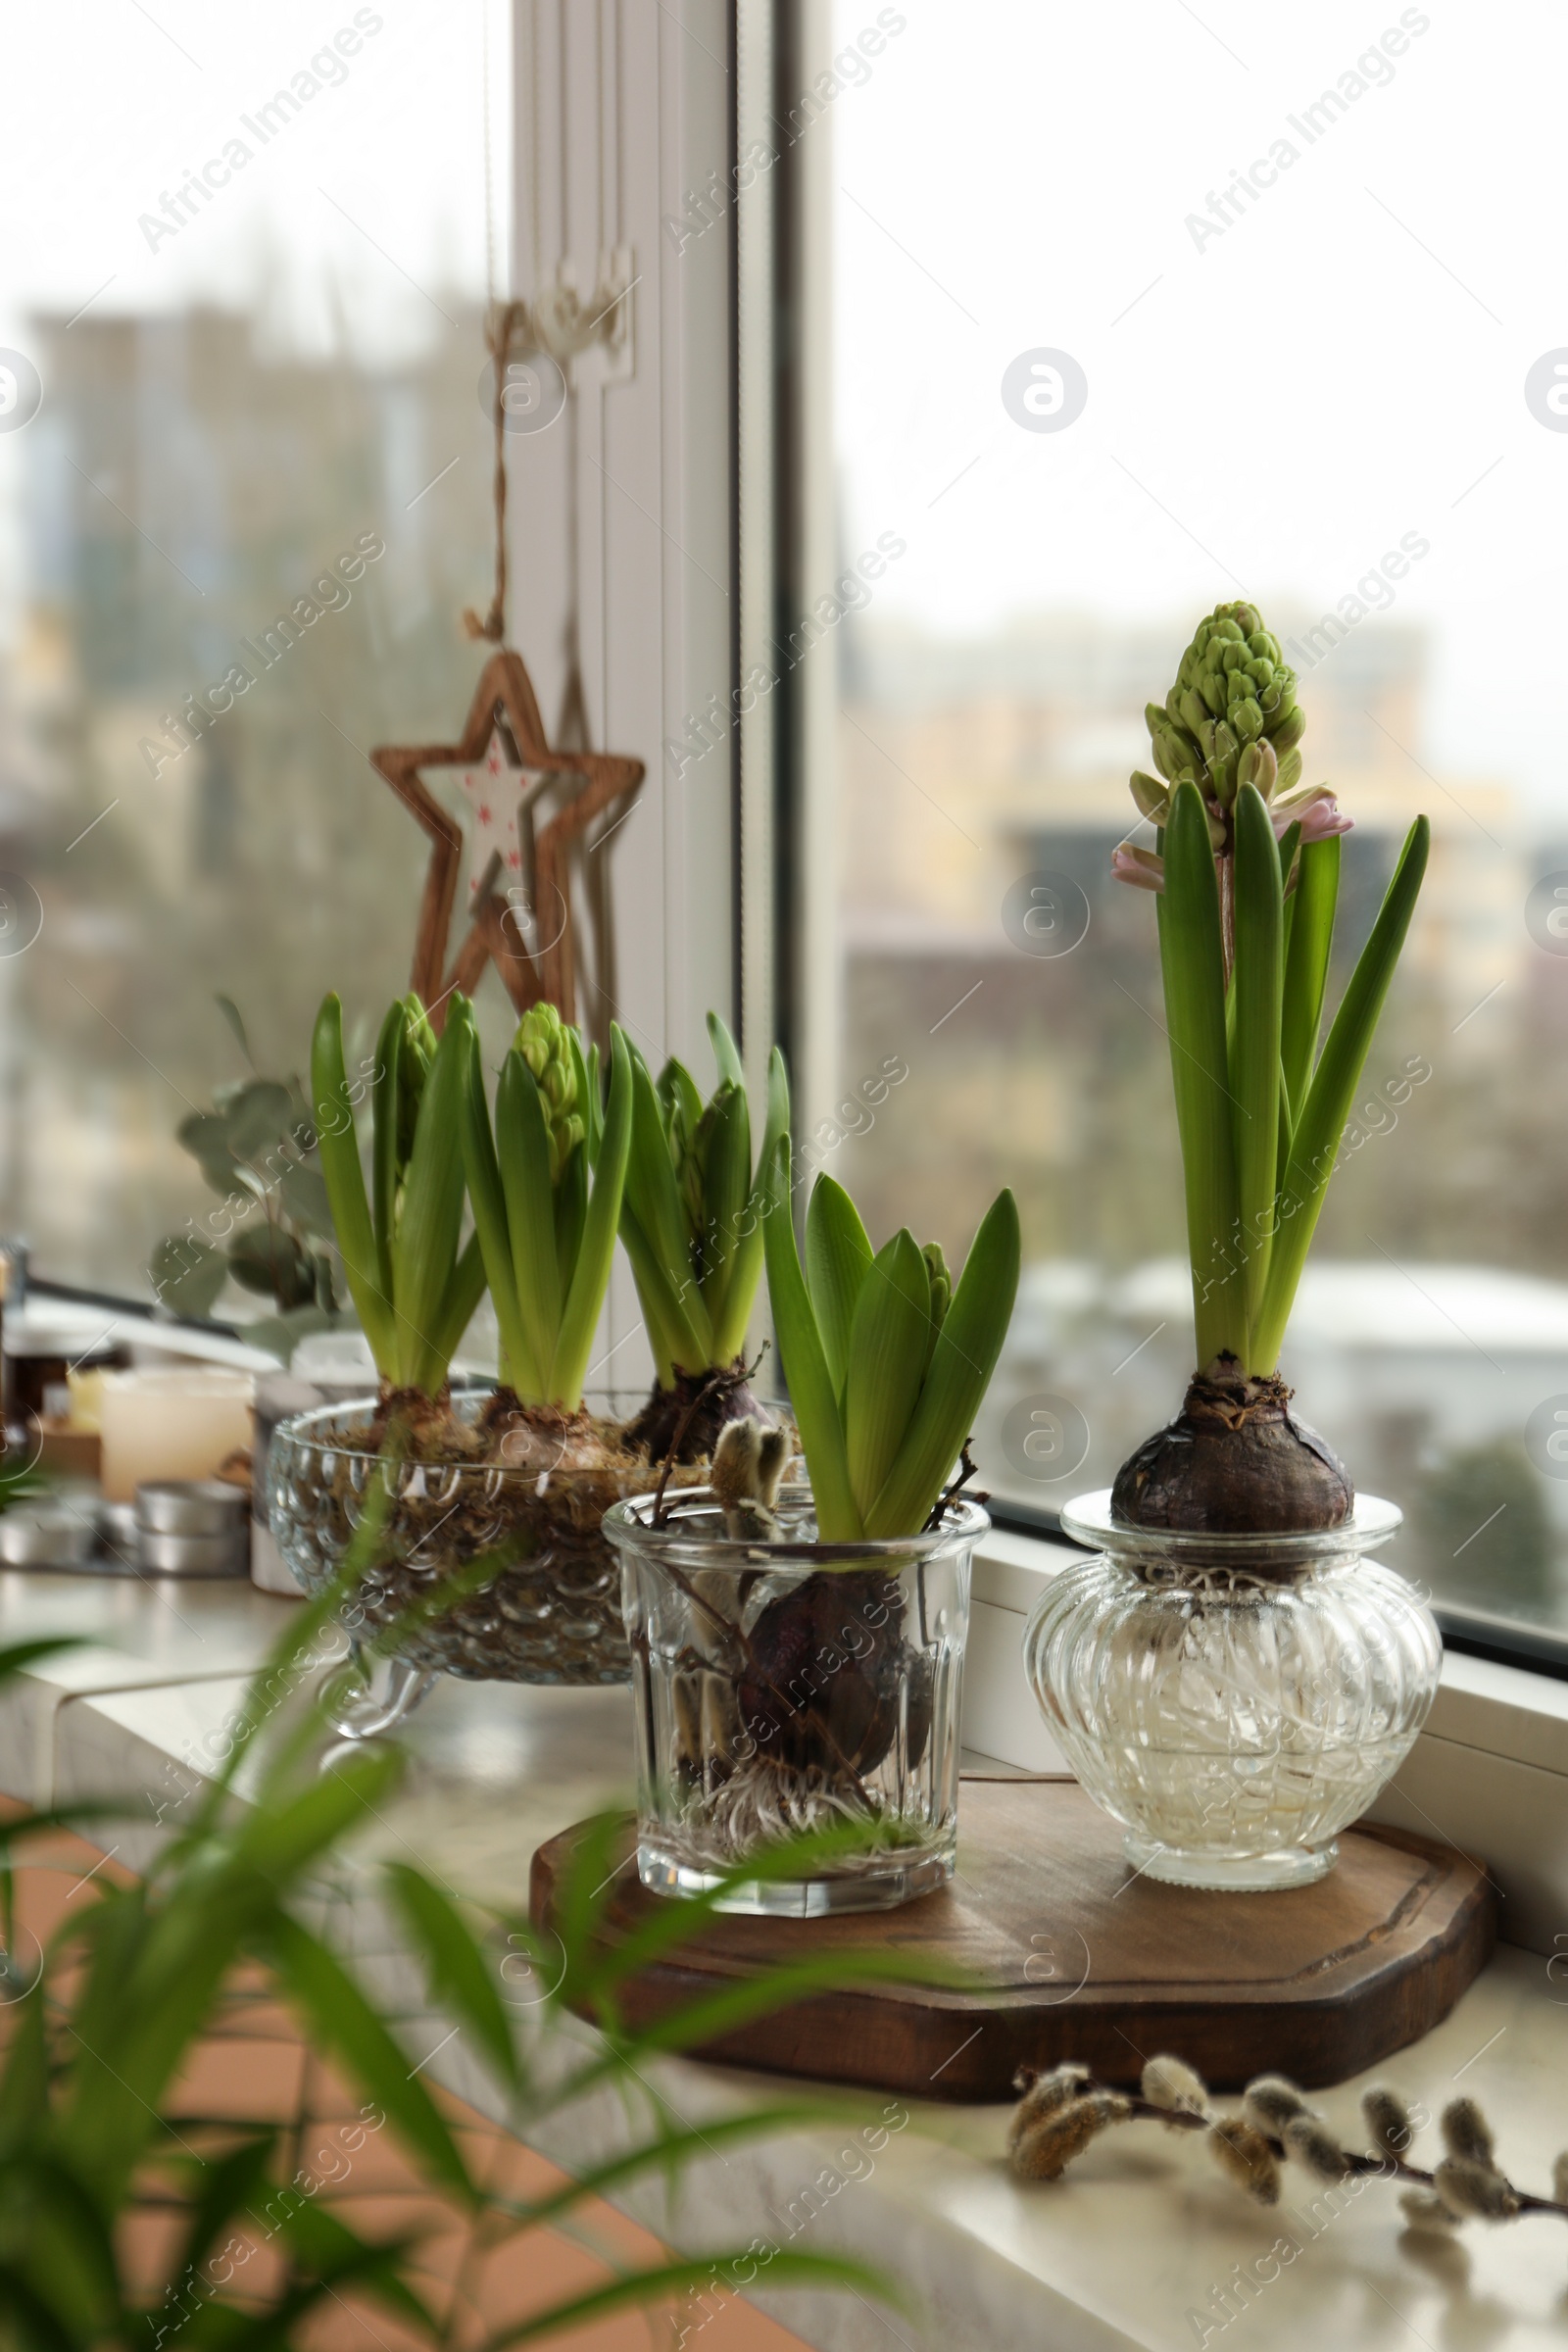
pixel 1137 312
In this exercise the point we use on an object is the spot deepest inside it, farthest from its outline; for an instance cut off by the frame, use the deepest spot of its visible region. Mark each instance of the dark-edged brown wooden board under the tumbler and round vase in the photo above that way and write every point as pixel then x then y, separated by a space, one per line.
pixel 1068 1956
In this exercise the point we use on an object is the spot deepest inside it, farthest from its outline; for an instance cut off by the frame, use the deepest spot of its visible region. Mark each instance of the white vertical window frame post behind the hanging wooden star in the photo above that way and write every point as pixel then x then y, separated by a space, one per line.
pixel 622 112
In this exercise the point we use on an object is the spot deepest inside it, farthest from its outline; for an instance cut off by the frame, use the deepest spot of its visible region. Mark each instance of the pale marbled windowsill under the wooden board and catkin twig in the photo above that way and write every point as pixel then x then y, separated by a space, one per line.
pixel 1115 2257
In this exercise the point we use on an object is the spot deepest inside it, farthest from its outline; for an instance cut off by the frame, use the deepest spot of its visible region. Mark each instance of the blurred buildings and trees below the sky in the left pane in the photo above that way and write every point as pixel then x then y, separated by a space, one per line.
pixel 201 507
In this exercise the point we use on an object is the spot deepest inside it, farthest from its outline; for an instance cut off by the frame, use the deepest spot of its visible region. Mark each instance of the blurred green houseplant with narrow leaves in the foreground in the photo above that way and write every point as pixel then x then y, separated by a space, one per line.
pixel 93 2130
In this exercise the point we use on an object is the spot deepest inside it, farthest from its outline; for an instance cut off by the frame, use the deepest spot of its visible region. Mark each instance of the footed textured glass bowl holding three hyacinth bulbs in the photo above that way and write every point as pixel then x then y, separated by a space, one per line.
pixel 549 1617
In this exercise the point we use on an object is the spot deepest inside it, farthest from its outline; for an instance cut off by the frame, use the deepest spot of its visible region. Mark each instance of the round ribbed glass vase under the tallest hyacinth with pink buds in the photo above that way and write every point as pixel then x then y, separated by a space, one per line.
pixel 1233 1702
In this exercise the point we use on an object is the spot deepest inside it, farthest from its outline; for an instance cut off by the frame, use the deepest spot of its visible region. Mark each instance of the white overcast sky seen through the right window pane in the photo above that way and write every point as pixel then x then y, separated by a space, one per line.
pixel 1271 408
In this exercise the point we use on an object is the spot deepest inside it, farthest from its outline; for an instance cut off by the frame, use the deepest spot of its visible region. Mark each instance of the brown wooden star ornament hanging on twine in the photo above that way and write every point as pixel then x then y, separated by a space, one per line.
pixel 530 808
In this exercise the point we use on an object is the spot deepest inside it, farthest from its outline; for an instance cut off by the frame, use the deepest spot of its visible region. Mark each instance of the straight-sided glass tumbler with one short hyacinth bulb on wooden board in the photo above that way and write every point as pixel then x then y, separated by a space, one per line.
pixel 793 1685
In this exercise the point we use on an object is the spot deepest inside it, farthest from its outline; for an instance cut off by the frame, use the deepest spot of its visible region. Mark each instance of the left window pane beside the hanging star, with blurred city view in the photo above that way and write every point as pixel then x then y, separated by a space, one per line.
pixel 241 528
